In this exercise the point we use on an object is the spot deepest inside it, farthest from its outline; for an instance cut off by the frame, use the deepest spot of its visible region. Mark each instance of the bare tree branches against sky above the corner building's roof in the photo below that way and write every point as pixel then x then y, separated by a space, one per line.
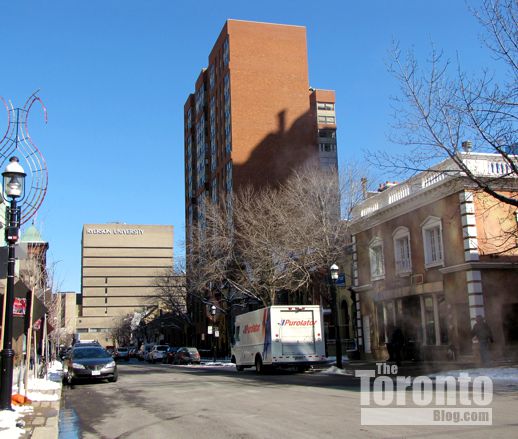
pixel 437 111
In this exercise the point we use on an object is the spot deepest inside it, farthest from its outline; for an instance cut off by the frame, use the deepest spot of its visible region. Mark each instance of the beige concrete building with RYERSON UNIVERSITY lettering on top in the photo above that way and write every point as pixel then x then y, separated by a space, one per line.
pixel 120 263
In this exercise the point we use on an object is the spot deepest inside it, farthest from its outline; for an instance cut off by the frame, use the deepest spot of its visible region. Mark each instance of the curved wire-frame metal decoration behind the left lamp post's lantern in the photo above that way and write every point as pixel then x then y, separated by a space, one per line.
pixel 17 141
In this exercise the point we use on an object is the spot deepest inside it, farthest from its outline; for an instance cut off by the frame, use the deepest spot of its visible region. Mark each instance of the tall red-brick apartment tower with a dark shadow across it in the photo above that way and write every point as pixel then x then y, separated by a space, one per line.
pixel 253 117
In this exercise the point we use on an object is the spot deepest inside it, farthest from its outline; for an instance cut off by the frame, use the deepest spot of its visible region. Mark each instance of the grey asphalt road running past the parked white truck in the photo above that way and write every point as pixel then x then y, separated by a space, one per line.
pixel 164 401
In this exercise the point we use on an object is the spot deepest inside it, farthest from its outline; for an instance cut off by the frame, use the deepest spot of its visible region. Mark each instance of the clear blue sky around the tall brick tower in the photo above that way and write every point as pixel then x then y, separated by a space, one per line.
pixel 114 75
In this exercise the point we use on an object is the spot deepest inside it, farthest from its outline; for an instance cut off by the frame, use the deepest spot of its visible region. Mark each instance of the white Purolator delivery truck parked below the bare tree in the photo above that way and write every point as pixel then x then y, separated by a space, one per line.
pixel 279 336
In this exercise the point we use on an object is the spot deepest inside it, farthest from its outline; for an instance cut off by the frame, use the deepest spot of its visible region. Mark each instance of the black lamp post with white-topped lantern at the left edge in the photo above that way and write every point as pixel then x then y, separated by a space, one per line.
pixel 13 188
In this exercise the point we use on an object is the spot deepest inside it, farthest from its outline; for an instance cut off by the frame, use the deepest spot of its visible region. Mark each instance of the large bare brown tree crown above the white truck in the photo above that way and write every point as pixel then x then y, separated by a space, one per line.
pixel 276 238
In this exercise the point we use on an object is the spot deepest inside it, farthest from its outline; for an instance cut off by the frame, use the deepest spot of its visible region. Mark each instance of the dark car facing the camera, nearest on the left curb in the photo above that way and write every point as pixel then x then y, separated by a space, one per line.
pixel 92 362
